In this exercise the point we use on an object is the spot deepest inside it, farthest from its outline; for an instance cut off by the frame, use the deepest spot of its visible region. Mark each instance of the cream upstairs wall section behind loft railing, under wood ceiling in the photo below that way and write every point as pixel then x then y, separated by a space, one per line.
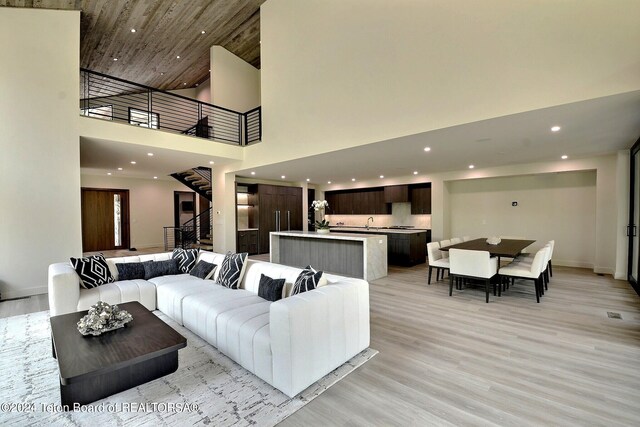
pixel 235 84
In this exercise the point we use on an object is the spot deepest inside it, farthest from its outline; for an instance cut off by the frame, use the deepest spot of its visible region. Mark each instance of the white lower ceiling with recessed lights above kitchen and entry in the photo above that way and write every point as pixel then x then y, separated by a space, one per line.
pixel 589 128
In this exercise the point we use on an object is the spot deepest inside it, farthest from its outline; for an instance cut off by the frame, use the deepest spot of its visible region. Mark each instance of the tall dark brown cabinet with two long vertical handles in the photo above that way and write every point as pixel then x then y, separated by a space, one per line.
pixel 279 209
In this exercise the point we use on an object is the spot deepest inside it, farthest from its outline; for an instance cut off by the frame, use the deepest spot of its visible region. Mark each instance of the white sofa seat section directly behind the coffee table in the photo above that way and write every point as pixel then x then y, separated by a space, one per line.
pixel 119 292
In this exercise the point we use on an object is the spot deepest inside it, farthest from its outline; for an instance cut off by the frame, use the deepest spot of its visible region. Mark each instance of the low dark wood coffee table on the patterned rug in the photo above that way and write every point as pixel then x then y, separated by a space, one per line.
pixel 92 368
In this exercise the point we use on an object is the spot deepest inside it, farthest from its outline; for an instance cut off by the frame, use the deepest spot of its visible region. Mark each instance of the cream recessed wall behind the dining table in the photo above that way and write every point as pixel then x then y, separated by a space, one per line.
pixel 558 206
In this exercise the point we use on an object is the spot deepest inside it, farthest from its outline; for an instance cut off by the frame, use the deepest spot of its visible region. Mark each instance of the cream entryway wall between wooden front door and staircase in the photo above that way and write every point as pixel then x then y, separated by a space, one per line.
pixel 150 205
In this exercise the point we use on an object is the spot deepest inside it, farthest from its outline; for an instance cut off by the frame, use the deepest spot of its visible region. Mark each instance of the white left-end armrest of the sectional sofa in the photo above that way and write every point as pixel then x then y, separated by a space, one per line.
pixel 64 289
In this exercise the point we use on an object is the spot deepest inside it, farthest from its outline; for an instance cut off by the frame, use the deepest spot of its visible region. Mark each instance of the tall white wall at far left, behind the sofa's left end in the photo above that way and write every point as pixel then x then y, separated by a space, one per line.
pixel 39 146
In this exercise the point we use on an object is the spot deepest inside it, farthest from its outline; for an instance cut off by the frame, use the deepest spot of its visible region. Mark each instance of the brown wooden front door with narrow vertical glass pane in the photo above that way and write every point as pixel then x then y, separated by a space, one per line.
pixel 105 219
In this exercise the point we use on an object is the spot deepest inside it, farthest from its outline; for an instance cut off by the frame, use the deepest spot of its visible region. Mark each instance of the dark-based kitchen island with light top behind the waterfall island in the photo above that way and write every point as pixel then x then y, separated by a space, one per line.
pixel 406 246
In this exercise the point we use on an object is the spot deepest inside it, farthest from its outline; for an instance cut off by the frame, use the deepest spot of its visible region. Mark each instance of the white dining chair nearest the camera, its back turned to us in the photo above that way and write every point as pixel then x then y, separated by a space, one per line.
pixel 468 264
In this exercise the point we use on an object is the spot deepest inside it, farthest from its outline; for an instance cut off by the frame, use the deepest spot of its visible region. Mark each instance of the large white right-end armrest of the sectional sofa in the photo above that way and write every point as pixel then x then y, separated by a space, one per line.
pixel 315 332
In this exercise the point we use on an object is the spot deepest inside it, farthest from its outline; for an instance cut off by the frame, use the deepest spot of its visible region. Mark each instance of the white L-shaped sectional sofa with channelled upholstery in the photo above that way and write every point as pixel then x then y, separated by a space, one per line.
pixel 290 343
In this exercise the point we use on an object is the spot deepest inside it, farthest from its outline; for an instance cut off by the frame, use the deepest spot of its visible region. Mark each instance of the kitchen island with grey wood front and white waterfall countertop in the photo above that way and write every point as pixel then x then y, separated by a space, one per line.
pixel 353 255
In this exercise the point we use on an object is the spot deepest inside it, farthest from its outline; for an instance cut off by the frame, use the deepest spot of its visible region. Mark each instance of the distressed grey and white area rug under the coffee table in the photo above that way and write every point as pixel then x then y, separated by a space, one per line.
pixel 225 393
